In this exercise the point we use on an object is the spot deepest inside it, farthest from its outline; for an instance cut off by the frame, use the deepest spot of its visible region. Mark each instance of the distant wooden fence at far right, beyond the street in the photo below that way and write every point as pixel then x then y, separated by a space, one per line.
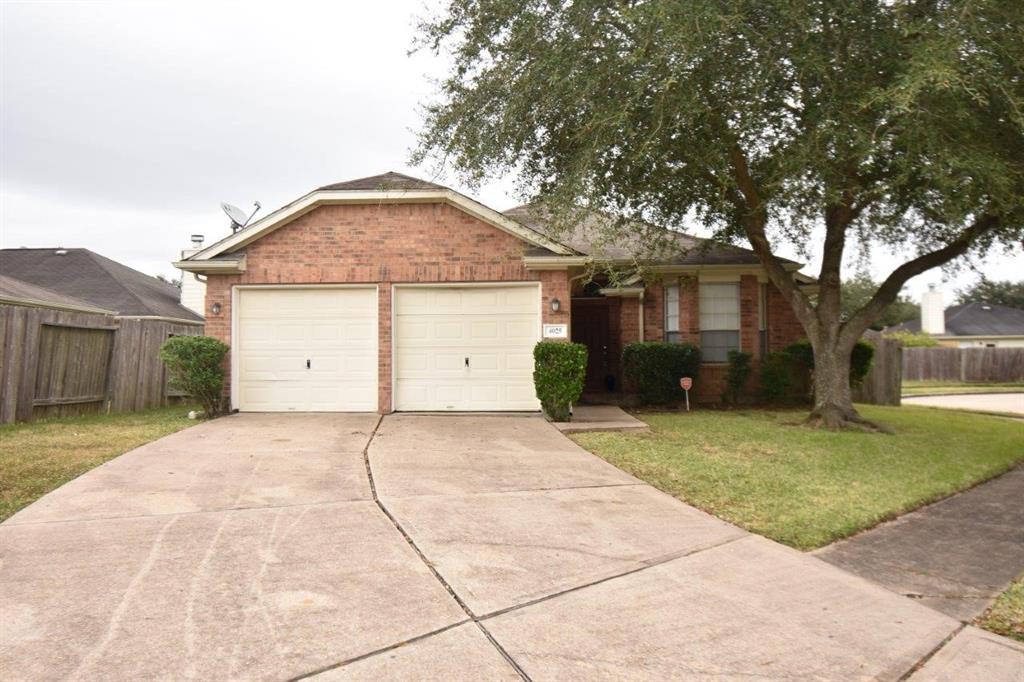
pixel 973 365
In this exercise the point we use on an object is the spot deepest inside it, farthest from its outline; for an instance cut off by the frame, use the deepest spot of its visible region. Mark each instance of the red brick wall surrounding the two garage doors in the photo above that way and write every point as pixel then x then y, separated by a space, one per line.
pixel 383 244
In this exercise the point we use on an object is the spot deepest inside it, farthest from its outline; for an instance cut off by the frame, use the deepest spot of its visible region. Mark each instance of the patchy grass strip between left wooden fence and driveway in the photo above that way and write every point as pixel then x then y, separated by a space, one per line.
pixel 37 457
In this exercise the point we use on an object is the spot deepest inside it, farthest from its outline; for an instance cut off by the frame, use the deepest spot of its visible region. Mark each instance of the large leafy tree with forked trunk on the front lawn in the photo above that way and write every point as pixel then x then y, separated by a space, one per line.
pixel 894 123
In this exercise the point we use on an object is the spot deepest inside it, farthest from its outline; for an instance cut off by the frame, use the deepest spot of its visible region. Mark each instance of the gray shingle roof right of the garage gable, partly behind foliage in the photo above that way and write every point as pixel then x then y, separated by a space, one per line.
pixel 586 238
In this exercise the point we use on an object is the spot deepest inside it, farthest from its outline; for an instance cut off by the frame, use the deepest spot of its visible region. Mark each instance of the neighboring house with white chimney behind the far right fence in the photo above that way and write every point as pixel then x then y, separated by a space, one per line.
pixel 969 325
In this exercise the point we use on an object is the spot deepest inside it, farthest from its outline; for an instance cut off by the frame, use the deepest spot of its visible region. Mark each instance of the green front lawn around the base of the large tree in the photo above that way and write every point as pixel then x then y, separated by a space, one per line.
pixel 808 488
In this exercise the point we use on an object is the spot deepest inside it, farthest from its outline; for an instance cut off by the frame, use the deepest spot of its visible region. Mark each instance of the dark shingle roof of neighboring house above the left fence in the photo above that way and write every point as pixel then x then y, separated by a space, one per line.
pixel 98 281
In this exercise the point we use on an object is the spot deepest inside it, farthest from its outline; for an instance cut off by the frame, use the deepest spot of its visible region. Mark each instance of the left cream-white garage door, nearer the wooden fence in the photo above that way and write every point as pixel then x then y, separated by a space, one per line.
pixel 307 350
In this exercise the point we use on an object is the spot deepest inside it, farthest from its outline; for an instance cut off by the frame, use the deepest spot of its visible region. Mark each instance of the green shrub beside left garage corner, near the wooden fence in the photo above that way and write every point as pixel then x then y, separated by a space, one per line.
pixel 196 367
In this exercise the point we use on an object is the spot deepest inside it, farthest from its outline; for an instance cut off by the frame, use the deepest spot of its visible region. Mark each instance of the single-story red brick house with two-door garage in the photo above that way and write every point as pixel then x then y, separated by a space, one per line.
pixel 391 293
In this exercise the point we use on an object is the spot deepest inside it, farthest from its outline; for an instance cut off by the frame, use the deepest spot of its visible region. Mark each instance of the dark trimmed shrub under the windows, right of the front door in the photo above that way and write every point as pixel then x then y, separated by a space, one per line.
pixel 656 369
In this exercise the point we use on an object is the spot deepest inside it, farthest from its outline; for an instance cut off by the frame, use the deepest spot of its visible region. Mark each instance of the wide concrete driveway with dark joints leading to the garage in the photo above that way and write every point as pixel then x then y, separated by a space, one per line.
pixel 345 547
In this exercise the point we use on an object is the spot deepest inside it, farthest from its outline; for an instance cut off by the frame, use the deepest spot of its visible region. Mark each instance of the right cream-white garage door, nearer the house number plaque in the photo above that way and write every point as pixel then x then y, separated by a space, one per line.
pixel 466 349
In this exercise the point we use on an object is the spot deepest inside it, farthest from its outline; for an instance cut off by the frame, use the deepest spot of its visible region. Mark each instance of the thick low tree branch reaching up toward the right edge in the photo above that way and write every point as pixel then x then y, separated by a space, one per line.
pixel 890 289
